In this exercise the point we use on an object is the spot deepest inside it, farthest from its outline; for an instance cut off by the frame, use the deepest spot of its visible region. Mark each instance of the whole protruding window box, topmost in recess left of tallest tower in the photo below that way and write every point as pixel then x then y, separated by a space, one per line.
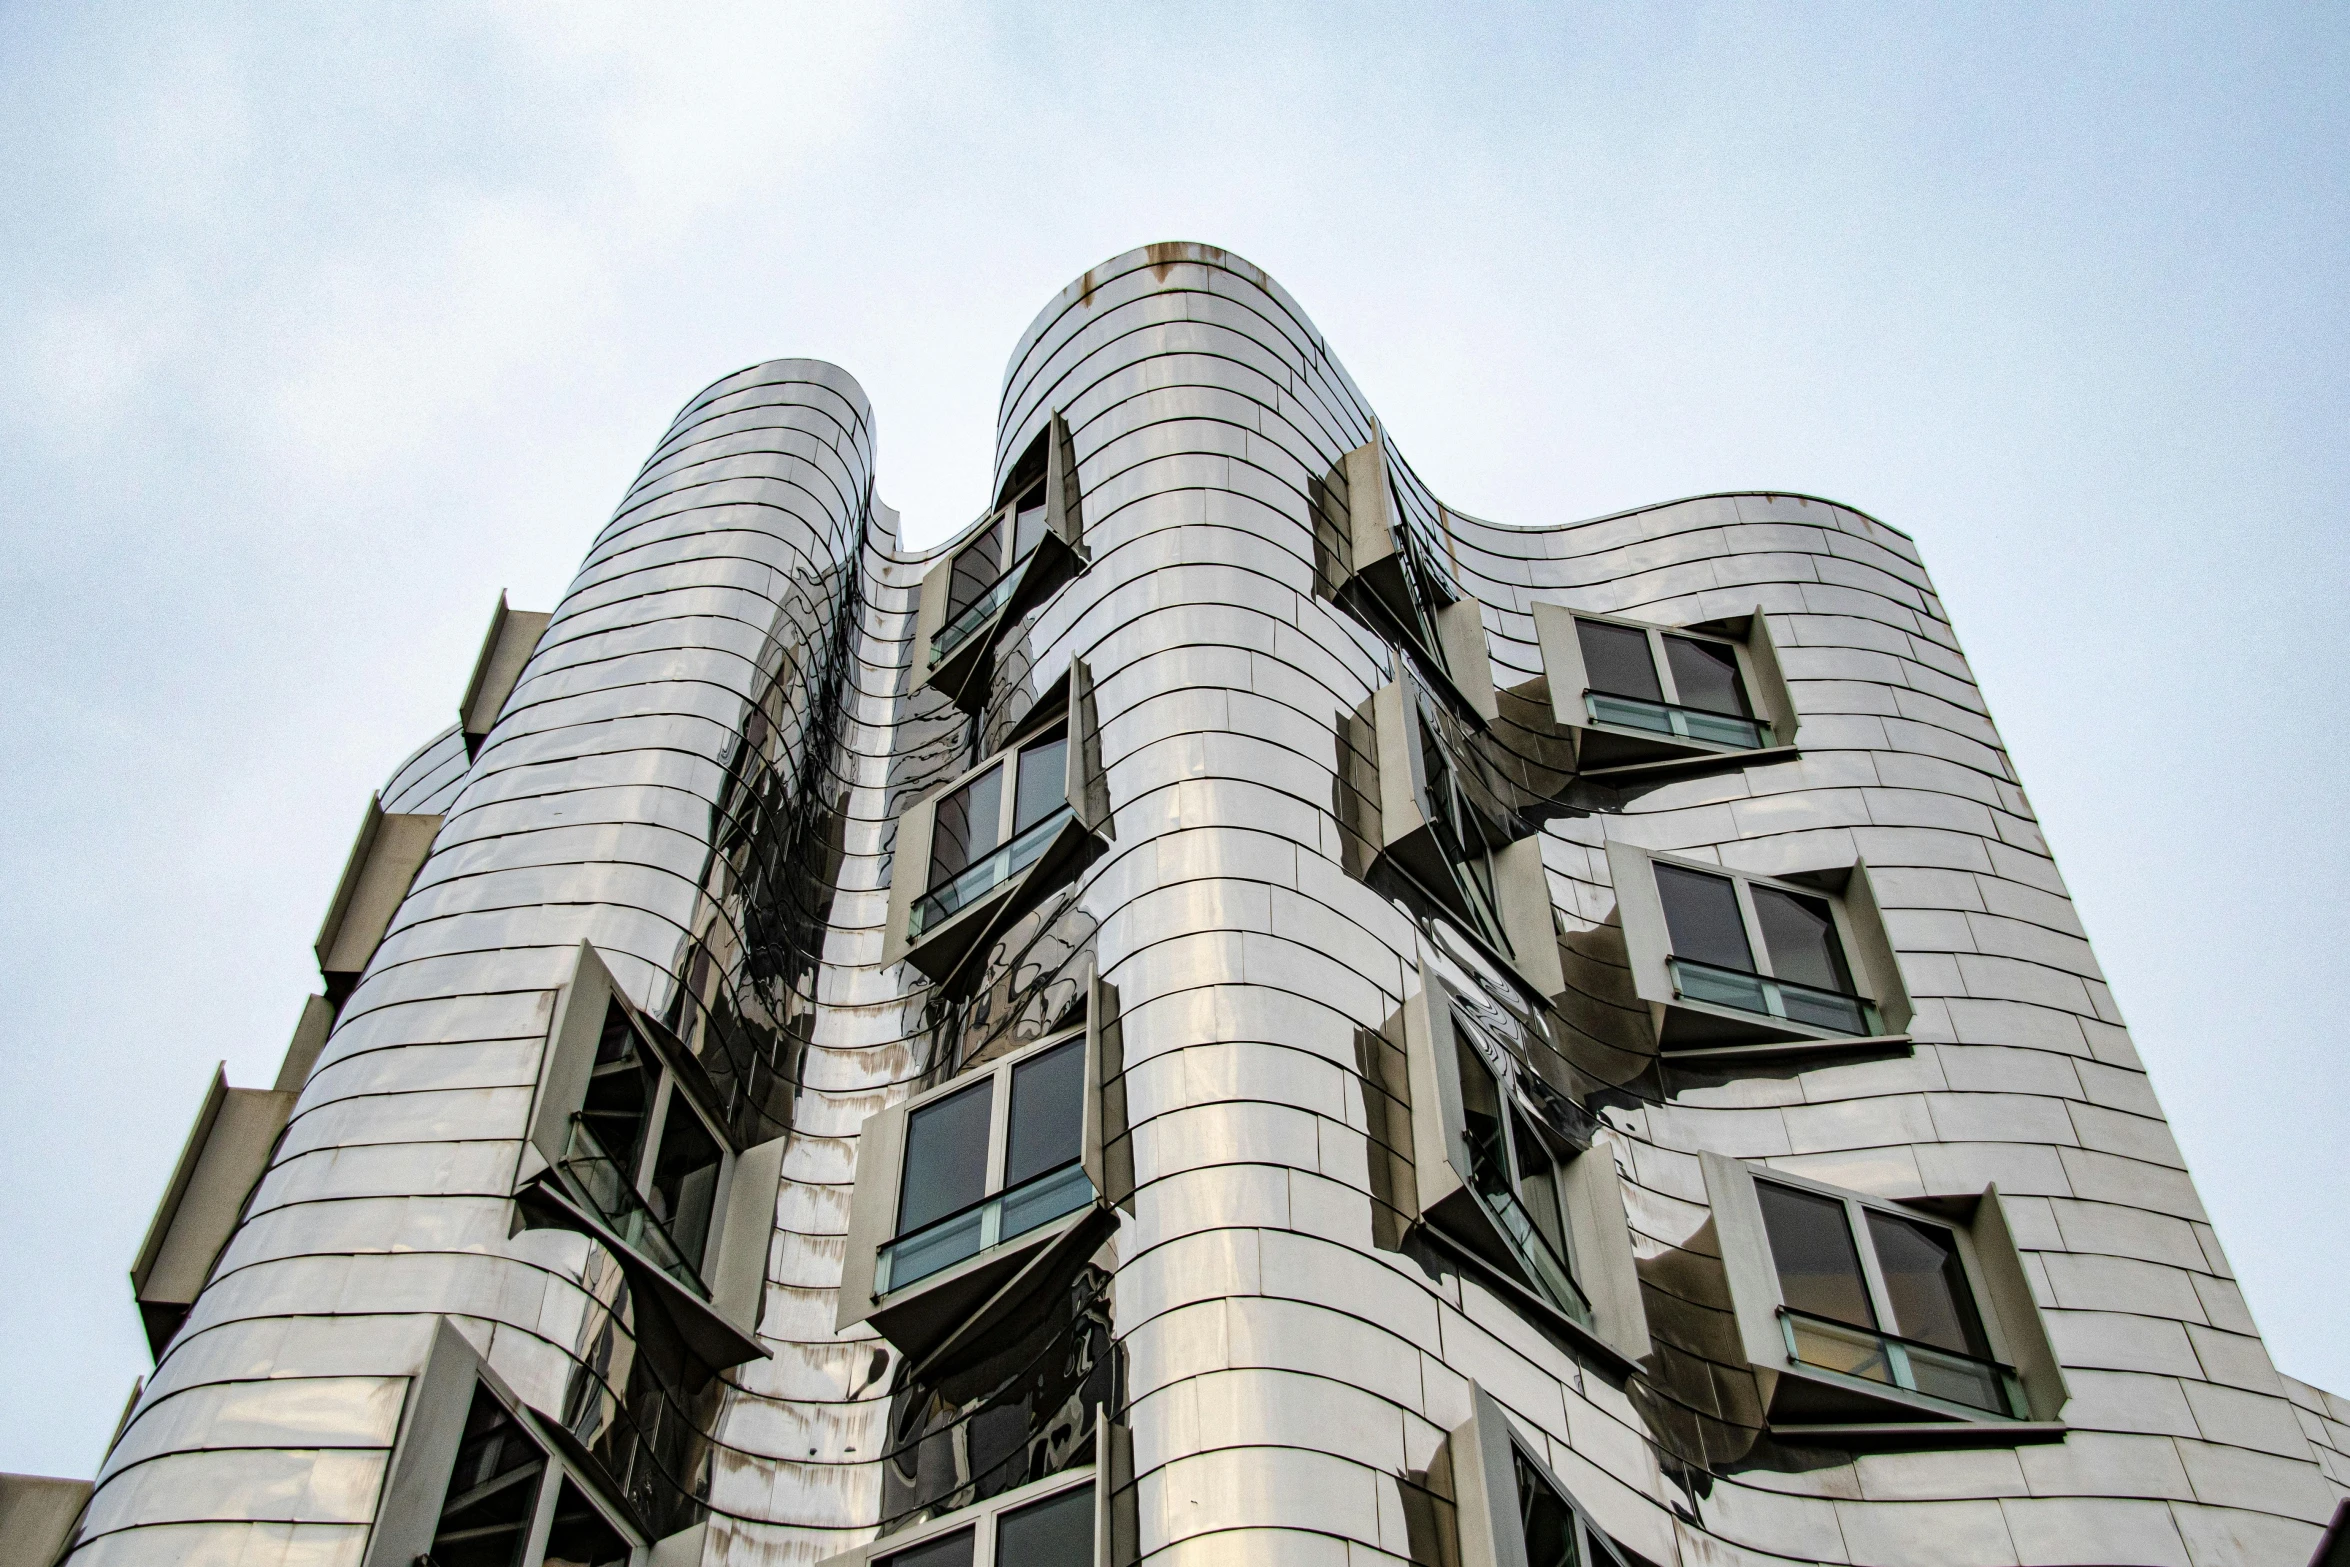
pixel 1028 546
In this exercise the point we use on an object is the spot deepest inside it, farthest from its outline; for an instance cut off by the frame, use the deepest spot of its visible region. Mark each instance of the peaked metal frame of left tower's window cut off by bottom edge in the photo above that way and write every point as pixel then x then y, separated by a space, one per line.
pixel 427 1448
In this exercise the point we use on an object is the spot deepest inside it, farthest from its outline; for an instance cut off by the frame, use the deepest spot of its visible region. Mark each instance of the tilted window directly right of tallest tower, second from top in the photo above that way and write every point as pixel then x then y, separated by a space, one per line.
pixel 1442 826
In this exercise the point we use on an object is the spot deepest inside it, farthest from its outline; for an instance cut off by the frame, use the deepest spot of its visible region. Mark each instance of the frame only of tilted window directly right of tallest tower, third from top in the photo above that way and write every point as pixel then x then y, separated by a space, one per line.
pixel 1449 1206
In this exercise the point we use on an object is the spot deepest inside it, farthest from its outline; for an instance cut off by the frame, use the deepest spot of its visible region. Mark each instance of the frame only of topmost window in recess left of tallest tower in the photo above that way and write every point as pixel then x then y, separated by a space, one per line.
pixel 962 671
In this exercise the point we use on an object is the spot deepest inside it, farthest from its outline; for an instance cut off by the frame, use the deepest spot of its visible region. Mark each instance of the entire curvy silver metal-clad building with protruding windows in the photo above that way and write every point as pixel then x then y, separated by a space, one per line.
pixel 1230 1016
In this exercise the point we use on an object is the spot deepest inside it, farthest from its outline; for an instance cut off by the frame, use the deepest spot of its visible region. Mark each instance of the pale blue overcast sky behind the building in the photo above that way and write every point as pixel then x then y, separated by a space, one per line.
pixel 321 325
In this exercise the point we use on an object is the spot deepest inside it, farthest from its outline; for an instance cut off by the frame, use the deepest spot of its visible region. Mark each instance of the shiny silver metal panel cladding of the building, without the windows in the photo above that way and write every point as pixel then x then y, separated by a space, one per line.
pixel 1287 1376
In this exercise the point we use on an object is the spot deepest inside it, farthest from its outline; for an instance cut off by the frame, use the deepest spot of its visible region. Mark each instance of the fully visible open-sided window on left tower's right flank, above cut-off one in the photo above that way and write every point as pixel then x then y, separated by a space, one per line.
pixel 631 1148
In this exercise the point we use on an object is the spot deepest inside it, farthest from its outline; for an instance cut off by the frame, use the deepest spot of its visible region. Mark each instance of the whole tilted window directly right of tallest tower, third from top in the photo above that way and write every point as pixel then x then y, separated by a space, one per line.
pixel 1508 1178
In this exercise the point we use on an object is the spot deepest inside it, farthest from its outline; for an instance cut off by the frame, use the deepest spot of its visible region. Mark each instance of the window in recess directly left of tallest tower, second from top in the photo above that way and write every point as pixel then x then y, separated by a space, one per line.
pixel 967 852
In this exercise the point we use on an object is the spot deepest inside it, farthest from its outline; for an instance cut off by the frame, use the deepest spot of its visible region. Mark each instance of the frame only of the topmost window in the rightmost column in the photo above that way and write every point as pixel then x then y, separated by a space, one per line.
pixel 1623 753
